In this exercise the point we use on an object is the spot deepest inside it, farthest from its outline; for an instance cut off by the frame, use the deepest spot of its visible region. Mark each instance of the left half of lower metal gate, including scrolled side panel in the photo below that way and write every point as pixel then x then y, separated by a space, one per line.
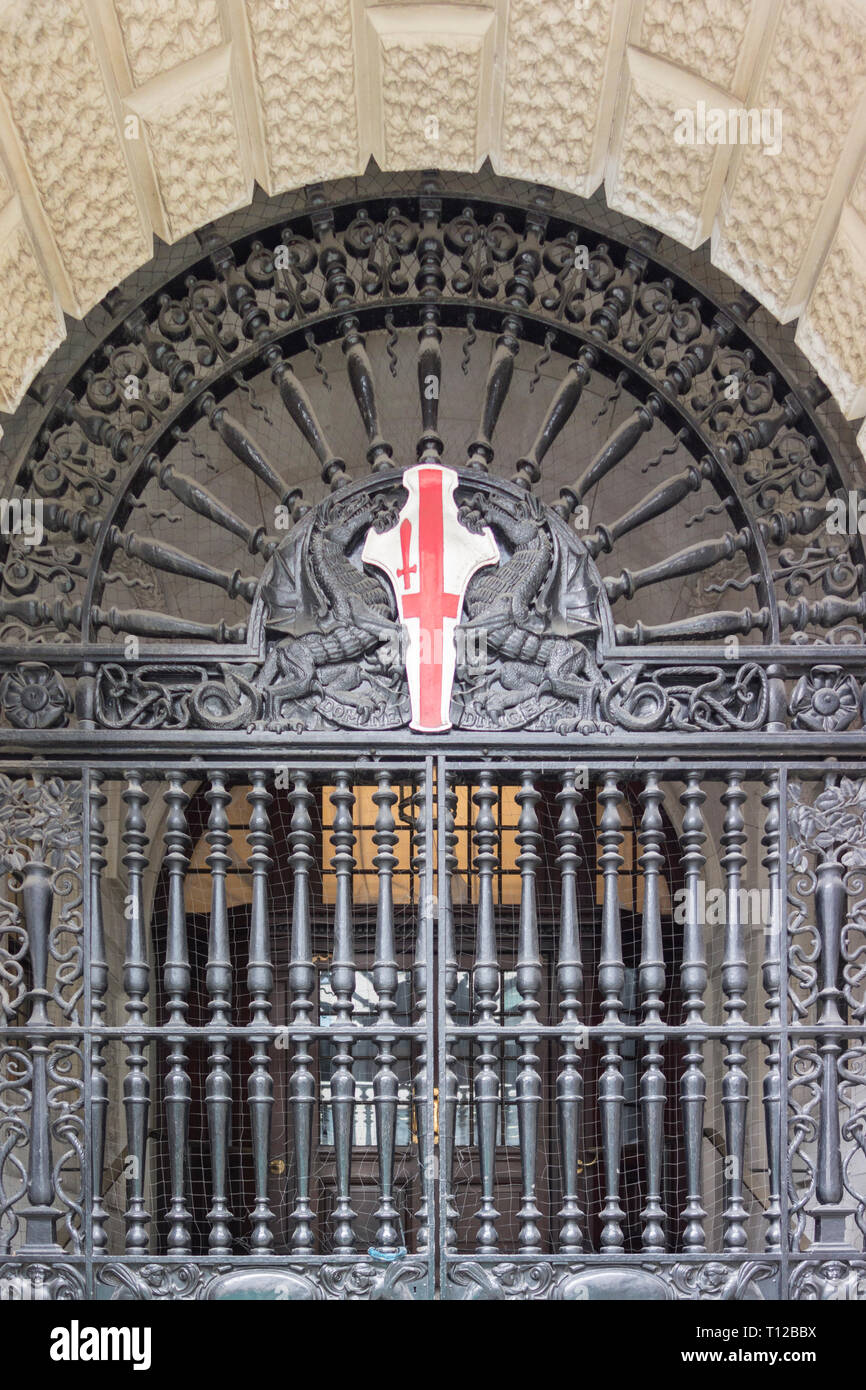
pixel 255 1100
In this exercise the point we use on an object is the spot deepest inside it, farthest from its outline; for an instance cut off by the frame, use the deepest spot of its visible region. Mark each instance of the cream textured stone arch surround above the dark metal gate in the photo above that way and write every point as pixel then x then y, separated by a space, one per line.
pixel 122 120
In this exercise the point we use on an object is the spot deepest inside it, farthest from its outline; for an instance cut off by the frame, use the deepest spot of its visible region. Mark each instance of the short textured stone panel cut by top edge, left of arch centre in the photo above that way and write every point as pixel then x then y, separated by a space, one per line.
pixel 161 34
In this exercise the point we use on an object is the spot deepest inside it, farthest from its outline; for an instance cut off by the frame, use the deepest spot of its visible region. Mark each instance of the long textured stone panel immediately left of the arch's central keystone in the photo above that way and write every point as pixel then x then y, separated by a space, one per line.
pixel 304 141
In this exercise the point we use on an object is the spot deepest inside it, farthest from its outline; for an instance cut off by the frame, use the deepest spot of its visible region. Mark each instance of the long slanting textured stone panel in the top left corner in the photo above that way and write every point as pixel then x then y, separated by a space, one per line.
pixel 60 108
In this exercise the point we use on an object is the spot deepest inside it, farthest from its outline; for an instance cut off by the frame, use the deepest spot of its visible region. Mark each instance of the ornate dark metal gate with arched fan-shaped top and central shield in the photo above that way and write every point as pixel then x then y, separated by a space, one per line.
pixel 461 901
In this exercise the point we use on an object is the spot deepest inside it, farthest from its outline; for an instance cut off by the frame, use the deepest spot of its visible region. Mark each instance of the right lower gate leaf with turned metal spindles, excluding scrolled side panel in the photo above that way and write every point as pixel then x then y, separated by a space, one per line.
pixel 611 1077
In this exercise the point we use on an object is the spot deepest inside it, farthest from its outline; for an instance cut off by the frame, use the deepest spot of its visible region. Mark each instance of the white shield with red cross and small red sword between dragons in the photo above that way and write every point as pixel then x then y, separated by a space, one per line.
pixel 430 558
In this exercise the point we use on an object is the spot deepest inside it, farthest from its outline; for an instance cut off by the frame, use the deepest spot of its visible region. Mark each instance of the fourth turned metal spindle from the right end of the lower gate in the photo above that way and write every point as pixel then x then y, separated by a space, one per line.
pixel 651 979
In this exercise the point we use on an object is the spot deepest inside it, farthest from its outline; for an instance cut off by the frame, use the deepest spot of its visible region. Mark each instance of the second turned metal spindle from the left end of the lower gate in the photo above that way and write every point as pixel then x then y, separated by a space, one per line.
pixel 137 981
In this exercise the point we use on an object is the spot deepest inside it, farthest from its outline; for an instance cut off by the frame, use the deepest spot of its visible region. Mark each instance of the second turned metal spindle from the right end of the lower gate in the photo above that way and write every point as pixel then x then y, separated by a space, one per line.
pixel 735 982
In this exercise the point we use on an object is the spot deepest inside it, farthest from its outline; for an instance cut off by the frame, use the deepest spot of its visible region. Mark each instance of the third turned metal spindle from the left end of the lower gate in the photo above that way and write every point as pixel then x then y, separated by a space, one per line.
pixel 176 982
